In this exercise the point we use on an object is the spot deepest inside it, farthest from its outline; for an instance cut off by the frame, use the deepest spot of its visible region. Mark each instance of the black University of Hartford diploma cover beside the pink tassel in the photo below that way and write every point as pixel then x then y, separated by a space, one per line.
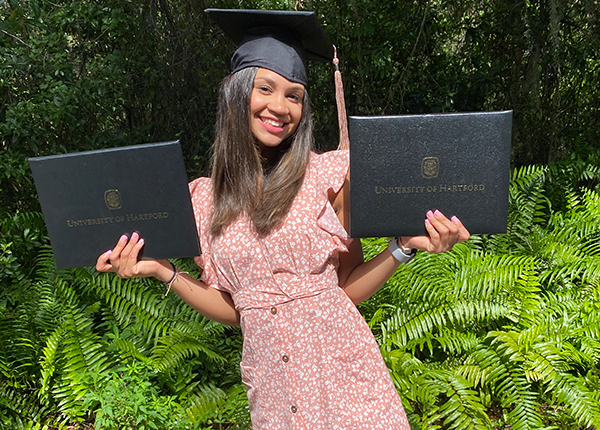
pixel 402 166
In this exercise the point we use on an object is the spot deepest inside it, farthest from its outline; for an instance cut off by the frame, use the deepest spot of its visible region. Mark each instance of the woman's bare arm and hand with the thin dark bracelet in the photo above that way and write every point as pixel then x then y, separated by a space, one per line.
pixel 214 304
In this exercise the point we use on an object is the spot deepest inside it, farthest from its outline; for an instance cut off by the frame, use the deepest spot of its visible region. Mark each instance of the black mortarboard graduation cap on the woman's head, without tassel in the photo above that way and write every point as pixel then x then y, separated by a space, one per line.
pixel 273 39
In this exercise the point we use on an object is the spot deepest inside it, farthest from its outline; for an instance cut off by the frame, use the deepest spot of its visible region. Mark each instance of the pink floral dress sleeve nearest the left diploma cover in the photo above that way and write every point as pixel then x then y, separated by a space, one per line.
pixel 202 202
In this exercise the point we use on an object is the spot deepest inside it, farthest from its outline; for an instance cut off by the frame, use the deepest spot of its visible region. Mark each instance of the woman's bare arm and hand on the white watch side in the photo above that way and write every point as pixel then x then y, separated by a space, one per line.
pixel 360 279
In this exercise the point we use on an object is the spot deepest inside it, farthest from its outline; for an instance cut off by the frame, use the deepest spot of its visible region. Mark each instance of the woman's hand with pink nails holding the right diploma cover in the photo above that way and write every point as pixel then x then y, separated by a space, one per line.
pixel 444 233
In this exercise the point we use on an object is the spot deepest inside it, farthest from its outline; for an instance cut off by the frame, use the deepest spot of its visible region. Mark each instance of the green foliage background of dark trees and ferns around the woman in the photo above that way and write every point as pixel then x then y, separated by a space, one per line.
pixel 501 333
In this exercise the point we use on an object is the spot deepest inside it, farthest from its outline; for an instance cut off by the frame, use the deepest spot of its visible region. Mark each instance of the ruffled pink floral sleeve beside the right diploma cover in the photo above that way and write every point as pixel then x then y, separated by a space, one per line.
pixel 331 169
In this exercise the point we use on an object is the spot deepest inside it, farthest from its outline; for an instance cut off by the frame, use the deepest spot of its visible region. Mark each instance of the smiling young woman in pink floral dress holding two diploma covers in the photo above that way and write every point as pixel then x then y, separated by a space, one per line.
pixel 278 261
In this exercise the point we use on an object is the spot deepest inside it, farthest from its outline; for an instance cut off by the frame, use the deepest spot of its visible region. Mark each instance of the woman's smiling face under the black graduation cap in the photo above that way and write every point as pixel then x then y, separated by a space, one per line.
pixel 275 107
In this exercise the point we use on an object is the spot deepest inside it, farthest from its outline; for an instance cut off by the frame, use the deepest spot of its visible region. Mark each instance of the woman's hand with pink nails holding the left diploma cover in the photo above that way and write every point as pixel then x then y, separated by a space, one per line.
pixel 123 260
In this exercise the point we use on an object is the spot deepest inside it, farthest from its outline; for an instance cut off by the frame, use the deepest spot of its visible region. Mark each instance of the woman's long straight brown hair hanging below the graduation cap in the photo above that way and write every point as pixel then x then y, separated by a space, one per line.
pixel 241 183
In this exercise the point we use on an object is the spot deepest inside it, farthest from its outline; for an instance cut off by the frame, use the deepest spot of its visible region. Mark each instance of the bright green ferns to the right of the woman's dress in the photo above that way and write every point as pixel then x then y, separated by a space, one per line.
pixel 504 323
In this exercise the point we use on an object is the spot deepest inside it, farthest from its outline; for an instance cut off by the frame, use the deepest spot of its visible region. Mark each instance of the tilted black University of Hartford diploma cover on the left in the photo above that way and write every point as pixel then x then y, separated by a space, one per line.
pixel 89 199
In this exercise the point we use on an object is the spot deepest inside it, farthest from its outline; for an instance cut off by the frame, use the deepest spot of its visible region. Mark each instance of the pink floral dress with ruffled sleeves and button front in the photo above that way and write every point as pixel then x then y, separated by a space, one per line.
pixel 309 359
